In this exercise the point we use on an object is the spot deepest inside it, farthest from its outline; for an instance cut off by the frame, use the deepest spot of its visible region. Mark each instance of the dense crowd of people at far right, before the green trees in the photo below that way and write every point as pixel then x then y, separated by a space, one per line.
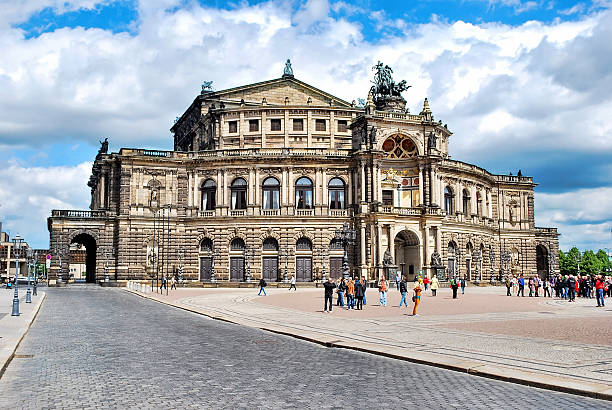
pixel 566 287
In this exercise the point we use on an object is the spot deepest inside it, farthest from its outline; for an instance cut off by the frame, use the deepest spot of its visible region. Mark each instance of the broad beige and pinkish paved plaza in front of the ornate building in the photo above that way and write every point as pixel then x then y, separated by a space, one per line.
pixel 539 342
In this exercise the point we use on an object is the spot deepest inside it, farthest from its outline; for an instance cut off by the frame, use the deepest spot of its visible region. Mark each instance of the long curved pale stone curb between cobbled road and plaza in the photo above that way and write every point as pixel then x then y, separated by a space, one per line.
pixel 516 376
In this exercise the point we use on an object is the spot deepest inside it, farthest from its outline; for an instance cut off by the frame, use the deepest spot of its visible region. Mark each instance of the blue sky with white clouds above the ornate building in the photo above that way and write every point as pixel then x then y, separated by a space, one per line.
pixel 522 85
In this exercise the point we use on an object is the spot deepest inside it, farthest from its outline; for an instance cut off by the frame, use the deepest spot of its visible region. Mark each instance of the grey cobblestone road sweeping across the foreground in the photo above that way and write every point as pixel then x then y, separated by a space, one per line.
pixel 105 348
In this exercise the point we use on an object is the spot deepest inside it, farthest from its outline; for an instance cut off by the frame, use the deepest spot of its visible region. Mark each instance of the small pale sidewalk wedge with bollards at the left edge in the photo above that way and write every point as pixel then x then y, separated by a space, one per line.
pixel 14 328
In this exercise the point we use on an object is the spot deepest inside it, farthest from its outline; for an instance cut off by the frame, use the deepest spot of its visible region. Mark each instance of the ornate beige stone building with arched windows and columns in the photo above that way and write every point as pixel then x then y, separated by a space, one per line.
pixel 265 177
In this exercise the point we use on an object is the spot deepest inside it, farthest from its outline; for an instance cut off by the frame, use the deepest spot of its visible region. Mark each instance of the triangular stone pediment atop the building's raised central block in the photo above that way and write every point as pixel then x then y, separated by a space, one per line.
pixel 281 91
